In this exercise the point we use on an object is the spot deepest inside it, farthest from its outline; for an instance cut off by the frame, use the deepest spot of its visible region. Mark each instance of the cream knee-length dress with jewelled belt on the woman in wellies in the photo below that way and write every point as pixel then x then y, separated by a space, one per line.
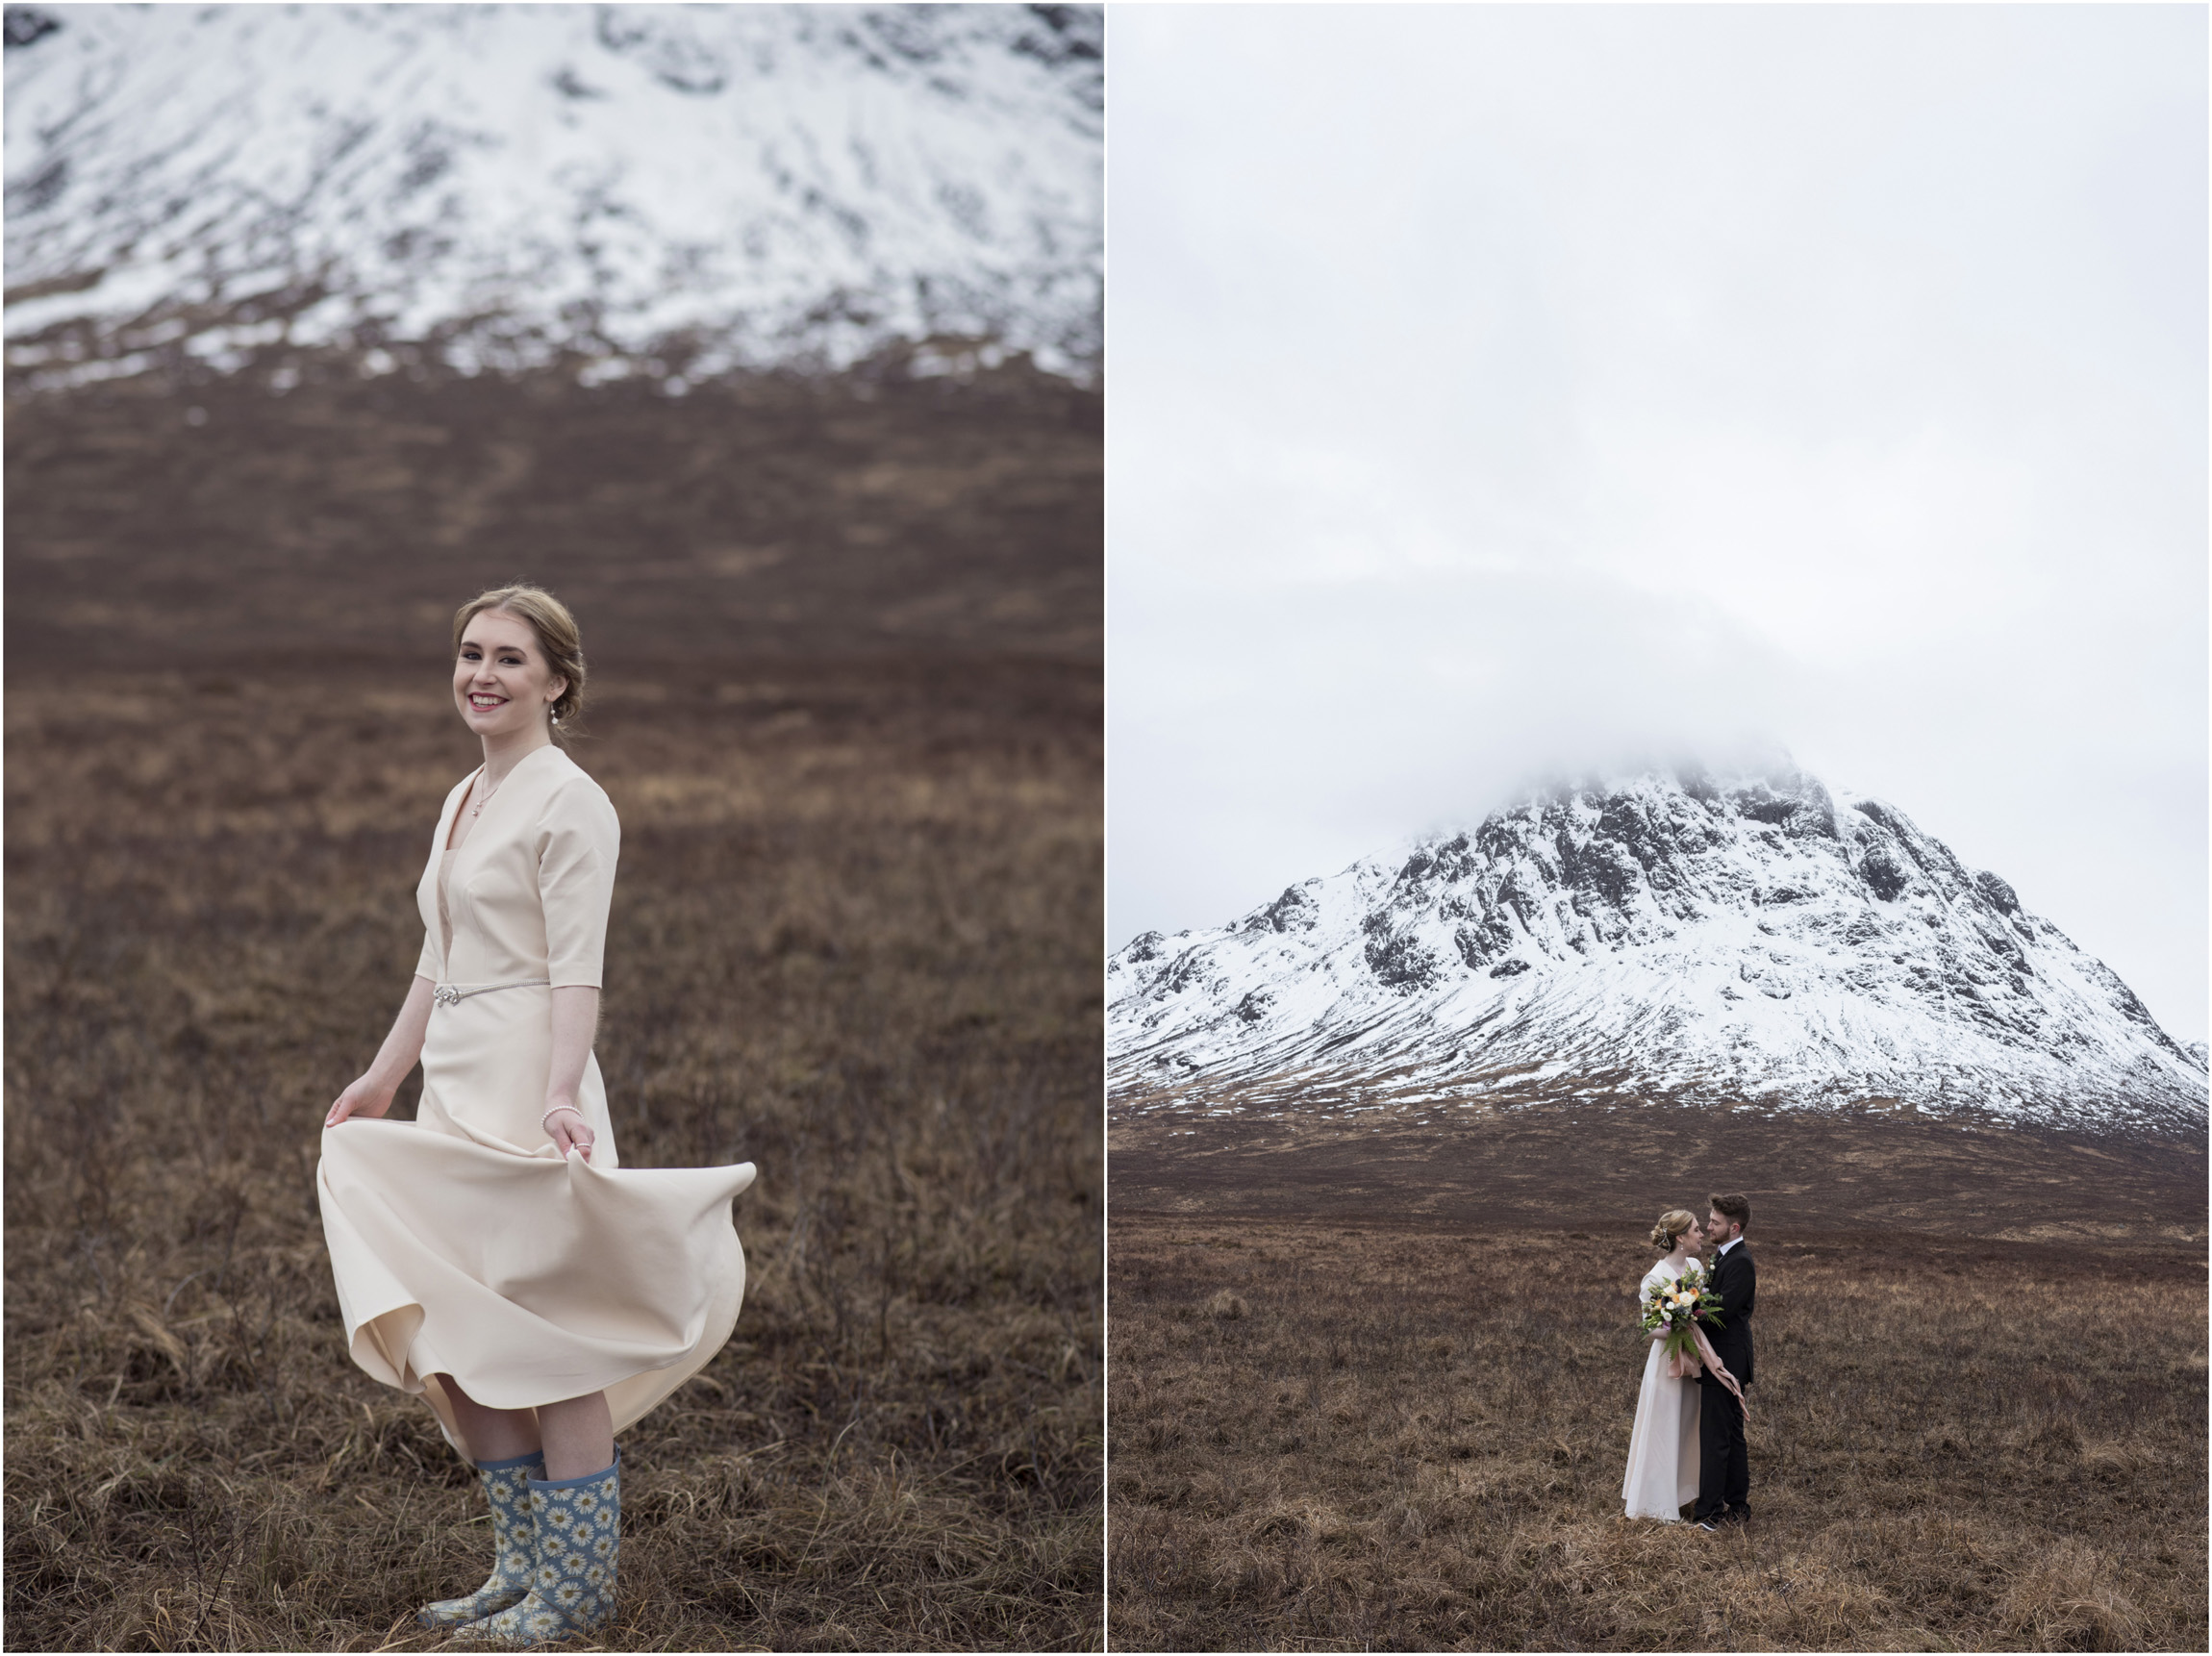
pixel 463 1244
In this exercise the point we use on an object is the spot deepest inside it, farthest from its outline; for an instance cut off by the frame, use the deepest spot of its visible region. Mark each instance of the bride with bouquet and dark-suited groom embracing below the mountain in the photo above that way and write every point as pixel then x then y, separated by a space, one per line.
pixel 1689 1436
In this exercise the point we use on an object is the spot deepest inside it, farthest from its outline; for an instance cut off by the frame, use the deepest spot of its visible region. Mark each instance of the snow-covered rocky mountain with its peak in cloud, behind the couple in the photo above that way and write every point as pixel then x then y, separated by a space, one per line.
pixel 1669 936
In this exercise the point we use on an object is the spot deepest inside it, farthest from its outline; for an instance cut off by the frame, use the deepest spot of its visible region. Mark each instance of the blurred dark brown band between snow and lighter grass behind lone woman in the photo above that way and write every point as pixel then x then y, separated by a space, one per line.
pixel 762 516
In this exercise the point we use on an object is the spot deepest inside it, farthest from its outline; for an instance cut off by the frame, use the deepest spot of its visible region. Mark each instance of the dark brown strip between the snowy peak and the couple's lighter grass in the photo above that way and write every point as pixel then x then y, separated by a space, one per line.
pixel 1585 1166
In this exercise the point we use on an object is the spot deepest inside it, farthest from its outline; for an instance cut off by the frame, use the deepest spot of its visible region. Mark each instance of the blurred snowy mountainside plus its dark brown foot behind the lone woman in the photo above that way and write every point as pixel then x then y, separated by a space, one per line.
pixel 749 328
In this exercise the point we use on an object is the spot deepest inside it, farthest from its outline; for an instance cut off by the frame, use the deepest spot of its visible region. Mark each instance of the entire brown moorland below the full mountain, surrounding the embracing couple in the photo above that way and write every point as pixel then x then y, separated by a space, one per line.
pixel 1373 1383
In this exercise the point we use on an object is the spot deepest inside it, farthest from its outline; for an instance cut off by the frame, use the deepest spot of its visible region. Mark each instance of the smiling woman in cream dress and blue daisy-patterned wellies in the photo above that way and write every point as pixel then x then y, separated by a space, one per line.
pixel 492 1255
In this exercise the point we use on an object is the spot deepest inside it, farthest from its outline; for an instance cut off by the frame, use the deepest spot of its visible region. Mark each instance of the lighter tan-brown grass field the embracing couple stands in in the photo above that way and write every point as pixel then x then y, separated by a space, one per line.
pixel 1412 1438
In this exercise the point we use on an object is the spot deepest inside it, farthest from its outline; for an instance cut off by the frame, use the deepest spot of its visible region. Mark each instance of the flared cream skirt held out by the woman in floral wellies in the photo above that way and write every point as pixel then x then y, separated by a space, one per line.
pixel 466 1246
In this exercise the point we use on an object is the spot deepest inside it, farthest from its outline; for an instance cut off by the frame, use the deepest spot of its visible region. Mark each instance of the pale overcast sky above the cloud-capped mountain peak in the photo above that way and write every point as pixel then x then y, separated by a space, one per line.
pixel 1512 388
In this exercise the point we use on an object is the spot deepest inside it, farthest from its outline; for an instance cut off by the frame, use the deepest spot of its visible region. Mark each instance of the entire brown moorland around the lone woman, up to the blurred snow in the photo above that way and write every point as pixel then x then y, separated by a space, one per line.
pixel 846 686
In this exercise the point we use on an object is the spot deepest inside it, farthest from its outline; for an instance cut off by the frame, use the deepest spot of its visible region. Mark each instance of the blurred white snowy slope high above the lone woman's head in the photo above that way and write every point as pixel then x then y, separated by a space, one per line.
pixel 651 189
